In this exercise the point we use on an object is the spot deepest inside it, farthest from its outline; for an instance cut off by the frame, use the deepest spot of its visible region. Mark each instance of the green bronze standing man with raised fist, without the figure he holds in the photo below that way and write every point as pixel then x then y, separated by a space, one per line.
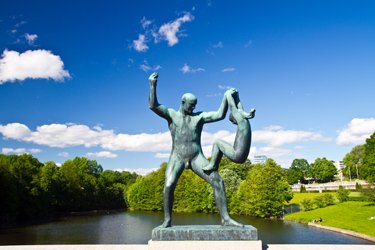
pixel 186 129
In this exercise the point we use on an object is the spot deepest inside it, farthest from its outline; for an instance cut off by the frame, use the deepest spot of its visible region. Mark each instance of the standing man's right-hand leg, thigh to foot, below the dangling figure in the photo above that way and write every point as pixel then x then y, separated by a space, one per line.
pixel 219 191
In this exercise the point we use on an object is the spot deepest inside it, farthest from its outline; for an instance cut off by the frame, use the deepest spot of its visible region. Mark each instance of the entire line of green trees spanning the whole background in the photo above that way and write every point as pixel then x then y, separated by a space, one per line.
pixel 30 189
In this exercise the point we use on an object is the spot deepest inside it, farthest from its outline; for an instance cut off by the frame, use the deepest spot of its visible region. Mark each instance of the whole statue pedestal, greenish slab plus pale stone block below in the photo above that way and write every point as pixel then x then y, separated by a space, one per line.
pixel 205 237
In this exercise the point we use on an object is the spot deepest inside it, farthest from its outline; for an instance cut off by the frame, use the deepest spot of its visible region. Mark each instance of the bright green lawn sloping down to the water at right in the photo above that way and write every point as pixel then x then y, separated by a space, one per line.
pixel 349 215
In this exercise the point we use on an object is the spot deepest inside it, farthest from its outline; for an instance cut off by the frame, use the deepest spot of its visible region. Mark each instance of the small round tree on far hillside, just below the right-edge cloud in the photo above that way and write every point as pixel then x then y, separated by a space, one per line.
pixel 323 170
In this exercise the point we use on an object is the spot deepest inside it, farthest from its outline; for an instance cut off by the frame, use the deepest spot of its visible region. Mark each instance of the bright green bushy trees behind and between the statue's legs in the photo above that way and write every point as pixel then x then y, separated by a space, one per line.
pixel 252 189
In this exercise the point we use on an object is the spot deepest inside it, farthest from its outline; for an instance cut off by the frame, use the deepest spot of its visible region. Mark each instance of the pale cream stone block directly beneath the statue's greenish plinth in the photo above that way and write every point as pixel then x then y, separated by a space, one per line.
pixel 205 245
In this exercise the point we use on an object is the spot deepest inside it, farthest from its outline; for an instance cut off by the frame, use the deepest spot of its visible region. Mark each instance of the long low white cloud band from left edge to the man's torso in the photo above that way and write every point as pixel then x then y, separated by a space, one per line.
pixel 68 135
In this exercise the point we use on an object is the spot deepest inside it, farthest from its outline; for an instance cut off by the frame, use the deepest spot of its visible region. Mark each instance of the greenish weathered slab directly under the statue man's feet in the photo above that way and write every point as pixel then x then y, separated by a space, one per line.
pixel 205 233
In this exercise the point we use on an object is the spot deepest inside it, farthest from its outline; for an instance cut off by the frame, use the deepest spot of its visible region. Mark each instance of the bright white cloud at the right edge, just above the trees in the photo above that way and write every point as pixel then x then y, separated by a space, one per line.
pixel 356 132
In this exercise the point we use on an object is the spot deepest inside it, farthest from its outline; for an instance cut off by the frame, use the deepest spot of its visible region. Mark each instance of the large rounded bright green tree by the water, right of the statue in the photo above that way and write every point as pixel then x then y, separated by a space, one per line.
pixel 264 191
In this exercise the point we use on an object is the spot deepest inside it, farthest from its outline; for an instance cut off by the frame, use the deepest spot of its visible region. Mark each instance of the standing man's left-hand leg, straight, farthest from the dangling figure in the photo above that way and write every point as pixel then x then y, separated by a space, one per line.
pixel 172 173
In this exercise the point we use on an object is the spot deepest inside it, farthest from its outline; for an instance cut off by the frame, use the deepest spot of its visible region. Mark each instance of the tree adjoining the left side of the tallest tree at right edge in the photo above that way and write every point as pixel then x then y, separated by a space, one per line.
pixel 353 161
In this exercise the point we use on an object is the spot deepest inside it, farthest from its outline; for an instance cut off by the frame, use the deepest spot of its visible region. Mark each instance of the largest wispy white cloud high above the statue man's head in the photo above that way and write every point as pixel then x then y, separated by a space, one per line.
pixel 169 31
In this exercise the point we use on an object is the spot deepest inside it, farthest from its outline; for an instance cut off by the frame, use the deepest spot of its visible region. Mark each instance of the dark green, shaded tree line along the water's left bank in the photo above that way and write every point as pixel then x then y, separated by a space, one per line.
pixel 31 190
